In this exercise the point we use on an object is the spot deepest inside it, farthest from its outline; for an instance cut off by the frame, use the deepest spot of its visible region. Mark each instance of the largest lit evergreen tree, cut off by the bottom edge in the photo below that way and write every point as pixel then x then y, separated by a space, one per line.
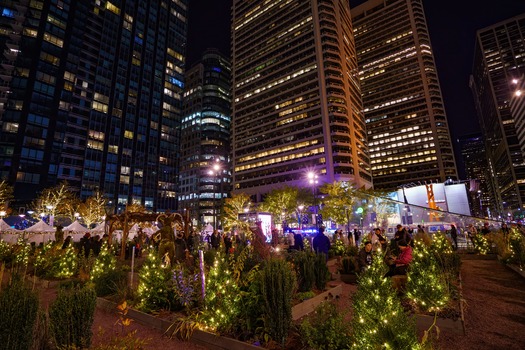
pixel 379 320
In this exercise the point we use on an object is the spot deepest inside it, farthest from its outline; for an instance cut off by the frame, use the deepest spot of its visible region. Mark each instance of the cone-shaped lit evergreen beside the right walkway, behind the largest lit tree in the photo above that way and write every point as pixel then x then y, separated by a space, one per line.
pixel 426 286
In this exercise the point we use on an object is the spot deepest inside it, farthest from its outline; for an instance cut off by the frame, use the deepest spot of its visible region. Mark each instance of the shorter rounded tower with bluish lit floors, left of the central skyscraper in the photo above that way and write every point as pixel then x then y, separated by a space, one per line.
pixel 205 137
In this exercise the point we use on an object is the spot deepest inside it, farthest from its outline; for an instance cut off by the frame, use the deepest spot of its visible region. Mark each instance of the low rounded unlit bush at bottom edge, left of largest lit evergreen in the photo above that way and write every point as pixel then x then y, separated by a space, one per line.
pixel 326 328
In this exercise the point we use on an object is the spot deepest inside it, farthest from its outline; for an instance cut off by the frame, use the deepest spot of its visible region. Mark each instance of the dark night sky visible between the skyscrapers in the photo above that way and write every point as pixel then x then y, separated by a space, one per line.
pixel 452 25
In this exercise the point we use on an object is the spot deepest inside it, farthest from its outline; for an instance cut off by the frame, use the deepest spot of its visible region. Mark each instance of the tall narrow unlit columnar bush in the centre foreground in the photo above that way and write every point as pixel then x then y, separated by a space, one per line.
pixel 278 284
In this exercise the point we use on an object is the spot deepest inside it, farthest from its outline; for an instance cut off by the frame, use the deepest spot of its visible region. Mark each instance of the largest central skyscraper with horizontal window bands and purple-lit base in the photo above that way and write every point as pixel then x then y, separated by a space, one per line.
pixel 296 98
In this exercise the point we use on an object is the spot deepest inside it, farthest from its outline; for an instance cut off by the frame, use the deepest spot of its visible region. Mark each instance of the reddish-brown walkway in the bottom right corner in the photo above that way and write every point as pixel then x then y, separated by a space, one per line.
pixel 494 309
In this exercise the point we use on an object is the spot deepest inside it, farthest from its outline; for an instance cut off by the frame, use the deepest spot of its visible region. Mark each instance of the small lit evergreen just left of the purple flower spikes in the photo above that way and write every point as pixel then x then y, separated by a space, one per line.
pixel 154 279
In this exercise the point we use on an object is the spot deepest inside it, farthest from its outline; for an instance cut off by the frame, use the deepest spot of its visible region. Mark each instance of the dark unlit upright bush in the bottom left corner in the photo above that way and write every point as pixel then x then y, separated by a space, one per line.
pixel 18 313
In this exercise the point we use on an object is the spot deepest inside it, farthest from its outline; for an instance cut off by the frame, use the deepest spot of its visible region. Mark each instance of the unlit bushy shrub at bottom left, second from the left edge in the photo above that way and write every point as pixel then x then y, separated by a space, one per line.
pixel 71 317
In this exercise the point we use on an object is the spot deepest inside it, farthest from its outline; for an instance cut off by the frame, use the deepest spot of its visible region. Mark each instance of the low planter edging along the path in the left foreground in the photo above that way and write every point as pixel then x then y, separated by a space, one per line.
pixel 208 340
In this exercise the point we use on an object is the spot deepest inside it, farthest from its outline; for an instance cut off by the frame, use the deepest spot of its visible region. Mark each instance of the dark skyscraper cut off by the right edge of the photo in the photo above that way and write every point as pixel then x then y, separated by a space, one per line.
pixel 499 59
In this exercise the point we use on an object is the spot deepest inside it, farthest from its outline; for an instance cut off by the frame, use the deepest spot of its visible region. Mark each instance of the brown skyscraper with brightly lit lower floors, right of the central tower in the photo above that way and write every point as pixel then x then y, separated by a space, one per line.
pixel 408 135
